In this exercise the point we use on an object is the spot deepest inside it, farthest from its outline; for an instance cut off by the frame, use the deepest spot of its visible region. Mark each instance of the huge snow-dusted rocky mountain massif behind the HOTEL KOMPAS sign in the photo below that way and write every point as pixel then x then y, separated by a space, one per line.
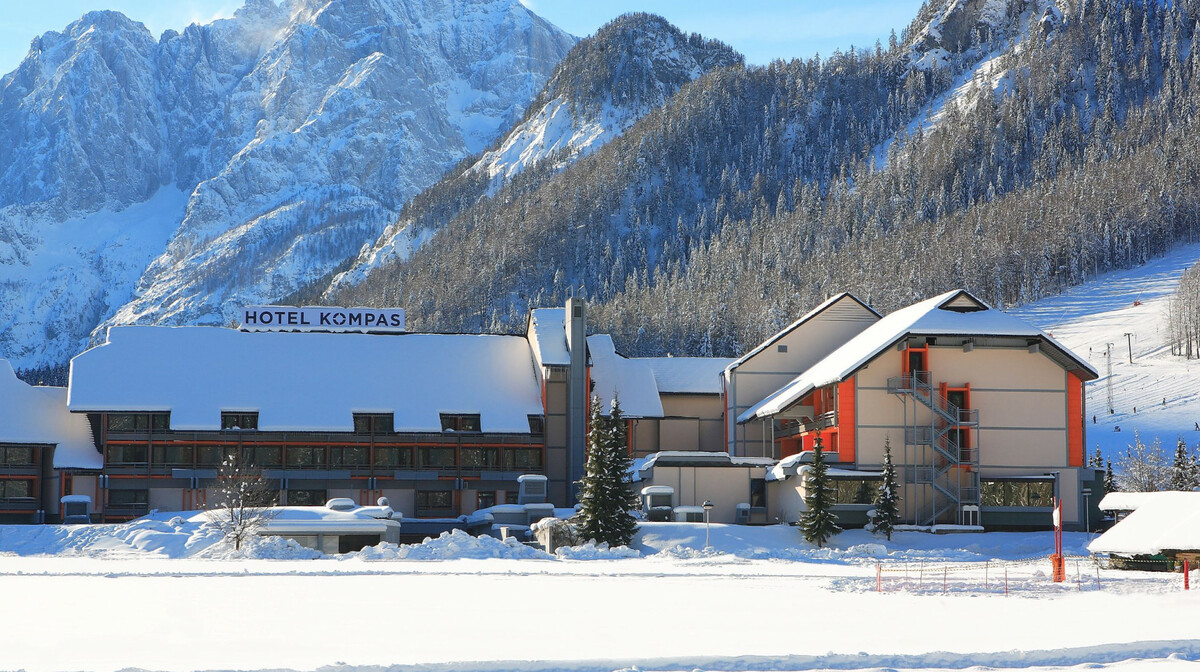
pixel 176 181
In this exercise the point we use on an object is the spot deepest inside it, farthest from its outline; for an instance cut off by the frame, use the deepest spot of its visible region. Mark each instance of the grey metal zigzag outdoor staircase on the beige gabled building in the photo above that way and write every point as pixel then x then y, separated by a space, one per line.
pixel 937 459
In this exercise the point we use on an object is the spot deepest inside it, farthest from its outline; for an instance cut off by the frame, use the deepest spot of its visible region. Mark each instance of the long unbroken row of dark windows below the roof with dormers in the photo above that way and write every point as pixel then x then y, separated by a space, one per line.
pixel 335 458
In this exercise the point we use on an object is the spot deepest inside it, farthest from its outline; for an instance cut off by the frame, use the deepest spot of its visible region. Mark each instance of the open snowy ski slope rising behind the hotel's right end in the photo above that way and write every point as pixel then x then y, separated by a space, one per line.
pixel 1159 395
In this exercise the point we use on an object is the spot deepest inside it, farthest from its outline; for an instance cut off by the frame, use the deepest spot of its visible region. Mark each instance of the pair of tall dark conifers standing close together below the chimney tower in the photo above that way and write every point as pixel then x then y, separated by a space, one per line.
pixel 607 494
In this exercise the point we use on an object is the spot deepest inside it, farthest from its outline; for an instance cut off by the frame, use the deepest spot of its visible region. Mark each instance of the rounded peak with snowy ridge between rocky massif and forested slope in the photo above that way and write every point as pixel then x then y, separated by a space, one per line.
pixel 607 83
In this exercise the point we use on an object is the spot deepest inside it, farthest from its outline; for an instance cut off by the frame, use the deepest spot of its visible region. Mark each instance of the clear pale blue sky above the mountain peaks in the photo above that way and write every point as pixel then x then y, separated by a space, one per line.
pixel 761 29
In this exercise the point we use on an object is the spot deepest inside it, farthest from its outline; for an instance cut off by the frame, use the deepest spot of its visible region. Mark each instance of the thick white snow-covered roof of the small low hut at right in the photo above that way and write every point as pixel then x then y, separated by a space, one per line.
pixel 1165 521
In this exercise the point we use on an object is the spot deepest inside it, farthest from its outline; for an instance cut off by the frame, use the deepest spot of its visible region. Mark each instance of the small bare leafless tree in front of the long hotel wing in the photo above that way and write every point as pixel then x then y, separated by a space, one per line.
pixel 244 500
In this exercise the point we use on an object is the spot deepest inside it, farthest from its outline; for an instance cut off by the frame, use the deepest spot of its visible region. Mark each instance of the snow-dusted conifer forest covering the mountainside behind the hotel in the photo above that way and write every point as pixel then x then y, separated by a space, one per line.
pixel 1013 158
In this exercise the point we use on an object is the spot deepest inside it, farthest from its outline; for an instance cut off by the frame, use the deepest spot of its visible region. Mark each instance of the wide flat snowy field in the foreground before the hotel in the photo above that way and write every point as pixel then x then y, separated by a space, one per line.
pixel 167 596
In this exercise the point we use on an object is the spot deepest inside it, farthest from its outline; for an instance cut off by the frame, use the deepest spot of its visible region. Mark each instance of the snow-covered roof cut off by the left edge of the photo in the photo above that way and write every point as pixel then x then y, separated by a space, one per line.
pixel 33 415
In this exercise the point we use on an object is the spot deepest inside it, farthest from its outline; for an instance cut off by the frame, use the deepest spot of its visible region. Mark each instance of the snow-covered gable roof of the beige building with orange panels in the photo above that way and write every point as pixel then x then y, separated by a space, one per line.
pixel 937 316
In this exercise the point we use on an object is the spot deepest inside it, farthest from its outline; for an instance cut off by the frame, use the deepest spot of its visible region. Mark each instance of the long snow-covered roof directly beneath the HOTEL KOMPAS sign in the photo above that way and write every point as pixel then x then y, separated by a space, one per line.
pixel 309 382
